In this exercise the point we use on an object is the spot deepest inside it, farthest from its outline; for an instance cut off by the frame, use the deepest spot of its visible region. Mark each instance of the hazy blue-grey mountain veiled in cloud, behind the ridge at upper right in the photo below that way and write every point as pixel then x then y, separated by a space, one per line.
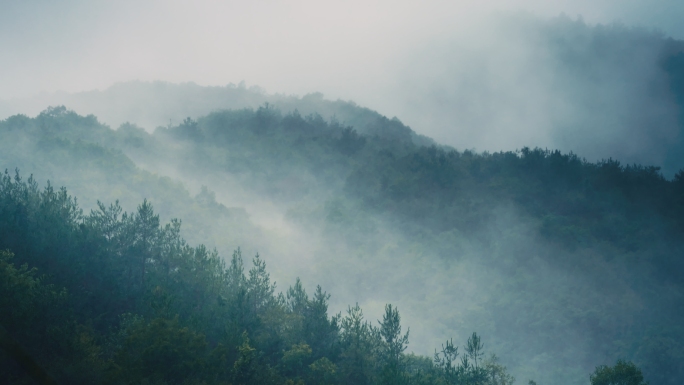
pixel 600 91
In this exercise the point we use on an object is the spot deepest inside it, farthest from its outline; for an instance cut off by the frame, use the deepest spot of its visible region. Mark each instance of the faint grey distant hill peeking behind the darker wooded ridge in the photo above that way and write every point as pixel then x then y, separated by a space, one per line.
pixel 153 104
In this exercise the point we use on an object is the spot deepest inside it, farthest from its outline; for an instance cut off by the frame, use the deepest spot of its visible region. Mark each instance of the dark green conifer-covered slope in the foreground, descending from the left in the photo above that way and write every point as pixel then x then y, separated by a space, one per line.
pixel 127 301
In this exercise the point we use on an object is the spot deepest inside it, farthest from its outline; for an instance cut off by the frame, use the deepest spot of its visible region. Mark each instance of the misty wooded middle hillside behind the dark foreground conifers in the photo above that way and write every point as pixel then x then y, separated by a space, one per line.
pixel 562 264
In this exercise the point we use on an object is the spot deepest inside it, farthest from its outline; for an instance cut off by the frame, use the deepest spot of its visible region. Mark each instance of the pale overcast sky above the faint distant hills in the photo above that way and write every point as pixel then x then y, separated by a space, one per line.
pixel 341 48
